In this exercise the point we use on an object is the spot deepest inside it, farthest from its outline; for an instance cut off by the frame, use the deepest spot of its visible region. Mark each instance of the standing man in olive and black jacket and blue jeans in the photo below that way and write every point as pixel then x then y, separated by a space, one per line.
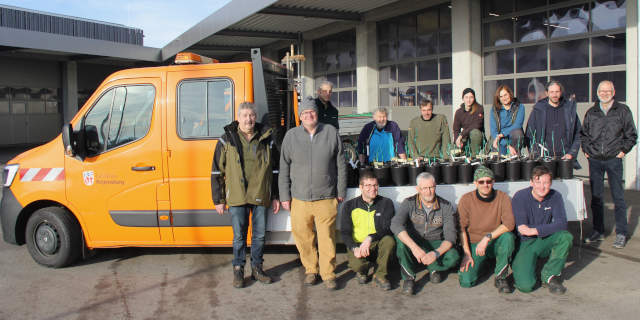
pixel 242 178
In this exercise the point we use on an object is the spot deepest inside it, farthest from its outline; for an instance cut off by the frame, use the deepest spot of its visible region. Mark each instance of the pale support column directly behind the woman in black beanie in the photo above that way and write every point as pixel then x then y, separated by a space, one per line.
pixel 466 54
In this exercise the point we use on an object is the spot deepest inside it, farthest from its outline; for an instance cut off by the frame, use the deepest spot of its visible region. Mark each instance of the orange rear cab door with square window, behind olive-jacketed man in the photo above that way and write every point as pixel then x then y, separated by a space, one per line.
pixel 204 103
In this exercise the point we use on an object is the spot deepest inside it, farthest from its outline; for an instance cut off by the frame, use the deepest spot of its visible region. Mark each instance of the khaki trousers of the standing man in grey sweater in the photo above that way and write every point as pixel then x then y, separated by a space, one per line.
pixel 321 214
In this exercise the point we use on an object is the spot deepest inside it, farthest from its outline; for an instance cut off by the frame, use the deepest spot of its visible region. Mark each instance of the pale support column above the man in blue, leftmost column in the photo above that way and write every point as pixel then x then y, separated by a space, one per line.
pixel 366 71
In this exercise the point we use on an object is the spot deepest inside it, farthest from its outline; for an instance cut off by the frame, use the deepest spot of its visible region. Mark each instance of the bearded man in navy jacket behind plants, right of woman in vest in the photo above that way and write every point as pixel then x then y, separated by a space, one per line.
pixel 553 128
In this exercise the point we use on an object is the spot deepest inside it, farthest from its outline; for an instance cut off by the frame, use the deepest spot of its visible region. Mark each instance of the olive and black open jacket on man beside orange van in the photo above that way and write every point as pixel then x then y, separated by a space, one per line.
pixel 229 184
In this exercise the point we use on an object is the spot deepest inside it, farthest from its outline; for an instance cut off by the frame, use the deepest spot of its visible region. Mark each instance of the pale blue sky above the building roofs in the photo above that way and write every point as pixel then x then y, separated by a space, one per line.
pixel 161 20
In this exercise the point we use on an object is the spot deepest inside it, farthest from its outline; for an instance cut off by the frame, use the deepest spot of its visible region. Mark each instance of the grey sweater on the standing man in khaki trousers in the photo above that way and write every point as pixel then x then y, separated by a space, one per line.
pixel 312 168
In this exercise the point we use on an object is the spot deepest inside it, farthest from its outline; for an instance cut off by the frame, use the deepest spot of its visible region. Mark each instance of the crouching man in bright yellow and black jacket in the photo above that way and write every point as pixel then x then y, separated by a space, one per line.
pixel 365 223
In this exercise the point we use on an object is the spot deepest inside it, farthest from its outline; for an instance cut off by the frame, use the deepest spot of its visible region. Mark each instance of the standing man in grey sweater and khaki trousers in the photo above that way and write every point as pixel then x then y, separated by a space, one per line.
pixel 312 181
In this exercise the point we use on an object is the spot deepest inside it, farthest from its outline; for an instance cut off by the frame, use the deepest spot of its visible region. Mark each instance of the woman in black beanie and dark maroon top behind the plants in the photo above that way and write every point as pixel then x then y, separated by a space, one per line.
pixel 468 123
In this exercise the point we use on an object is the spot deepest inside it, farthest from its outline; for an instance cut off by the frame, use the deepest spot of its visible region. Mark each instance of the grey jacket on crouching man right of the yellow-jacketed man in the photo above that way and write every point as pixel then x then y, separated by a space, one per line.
pixel 439 224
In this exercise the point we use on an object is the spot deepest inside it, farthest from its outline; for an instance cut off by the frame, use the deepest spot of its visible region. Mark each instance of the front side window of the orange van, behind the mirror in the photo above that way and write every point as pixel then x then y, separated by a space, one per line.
pixel 121 115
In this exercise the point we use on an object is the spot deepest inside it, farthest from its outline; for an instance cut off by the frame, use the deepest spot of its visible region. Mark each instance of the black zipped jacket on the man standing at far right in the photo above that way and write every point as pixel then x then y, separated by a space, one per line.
pixel 604 136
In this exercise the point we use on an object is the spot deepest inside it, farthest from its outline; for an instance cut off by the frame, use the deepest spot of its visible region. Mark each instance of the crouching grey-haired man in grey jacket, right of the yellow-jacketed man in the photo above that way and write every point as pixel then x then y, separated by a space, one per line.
pixel 425 227
